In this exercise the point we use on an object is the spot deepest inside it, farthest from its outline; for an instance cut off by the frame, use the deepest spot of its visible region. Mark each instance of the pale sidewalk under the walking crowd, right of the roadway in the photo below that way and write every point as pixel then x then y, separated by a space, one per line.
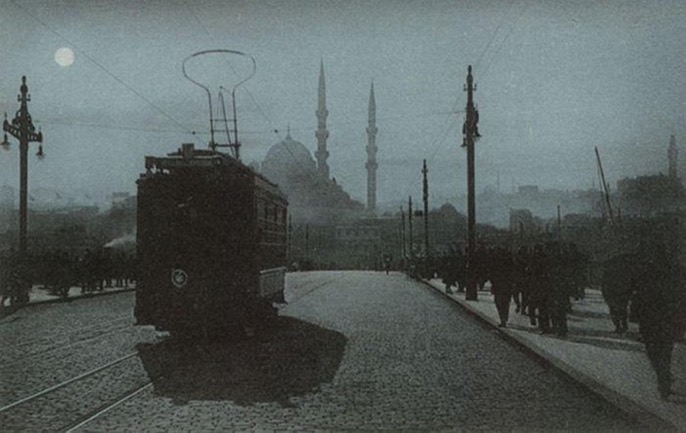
pixel 612 365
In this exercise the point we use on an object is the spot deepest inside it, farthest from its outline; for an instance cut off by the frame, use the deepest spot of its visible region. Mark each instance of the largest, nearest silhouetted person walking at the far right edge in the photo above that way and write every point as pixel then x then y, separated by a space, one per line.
pixel 657 298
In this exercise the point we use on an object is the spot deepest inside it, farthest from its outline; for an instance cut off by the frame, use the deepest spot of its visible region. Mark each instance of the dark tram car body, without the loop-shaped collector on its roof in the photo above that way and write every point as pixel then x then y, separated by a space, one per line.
pixel 212 244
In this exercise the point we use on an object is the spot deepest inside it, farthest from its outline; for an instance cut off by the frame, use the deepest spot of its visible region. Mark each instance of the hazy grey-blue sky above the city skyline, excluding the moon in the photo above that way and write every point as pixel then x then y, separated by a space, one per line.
pixel 554 79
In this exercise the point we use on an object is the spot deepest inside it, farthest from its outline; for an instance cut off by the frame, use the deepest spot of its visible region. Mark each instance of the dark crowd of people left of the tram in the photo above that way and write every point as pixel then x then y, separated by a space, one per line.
pixel 58 271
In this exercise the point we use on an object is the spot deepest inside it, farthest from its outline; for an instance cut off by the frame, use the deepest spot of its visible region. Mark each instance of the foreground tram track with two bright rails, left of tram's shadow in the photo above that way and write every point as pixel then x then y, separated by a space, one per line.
pixel 70 404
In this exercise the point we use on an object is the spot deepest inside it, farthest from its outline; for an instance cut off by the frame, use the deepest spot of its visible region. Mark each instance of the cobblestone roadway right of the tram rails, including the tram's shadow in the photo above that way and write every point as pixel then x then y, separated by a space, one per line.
pixel 355 351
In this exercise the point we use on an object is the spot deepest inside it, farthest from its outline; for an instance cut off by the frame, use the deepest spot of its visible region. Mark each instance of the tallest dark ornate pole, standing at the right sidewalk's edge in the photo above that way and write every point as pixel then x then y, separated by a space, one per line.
pixel 470 132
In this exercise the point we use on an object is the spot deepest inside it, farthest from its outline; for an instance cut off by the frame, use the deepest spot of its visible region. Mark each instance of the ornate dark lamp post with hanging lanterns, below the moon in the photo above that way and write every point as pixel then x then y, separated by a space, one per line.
pixel 23 130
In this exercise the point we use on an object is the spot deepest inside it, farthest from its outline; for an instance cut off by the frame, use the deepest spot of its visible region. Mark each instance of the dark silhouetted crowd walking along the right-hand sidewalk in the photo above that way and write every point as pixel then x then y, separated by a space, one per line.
pixel 543 279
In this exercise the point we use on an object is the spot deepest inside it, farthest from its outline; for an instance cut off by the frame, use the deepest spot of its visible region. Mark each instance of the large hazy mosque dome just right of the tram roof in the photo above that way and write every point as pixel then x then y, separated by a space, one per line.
pixel 286 158
